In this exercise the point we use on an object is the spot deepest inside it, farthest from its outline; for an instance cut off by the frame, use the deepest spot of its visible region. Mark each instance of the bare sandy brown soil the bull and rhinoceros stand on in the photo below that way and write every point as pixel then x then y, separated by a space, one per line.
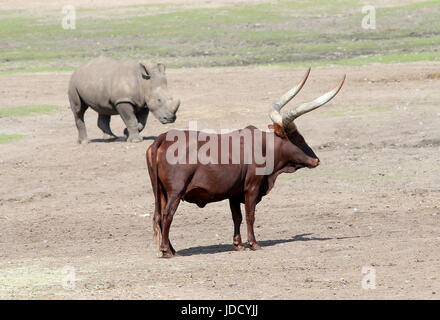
pixel 374 201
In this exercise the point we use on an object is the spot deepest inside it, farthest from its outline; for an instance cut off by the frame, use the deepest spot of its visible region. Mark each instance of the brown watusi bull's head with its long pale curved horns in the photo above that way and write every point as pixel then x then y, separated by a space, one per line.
pixel 294 148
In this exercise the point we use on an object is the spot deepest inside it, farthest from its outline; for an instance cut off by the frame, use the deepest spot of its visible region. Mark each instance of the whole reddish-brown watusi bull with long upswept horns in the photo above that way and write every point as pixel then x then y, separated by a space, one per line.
pixel 202 183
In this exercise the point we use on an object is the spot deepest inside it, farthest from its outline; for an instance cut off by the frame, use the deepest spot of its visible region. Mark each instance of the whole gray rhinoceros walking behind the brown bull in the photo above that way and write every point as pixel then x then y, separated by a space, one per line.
pixel 128 88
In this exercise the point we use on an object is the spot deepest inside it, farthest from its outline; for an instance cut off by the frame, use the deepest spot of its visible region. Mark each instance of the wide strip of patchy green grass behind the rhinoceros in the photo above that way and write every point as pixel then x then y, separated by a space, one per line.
pixel 295 32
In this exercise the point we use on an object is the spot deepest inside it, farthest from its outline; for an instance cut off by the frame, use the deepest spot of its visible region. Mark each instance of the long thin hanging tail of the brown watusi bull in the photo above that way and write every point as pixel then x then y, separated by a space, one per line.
pixel 155 184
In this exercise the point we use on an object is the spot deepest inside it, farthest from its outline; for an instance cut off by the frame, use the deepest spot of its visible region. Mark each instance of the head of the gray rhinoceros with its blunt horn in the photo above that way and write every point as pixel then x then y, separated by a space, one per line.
pixel 156 94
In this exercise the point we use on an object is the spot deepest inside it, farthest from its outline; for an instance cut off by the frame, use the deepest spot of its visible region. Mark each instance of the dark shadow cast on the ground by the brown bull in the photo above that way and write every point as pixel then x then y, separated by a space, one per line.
pixel 218 248
